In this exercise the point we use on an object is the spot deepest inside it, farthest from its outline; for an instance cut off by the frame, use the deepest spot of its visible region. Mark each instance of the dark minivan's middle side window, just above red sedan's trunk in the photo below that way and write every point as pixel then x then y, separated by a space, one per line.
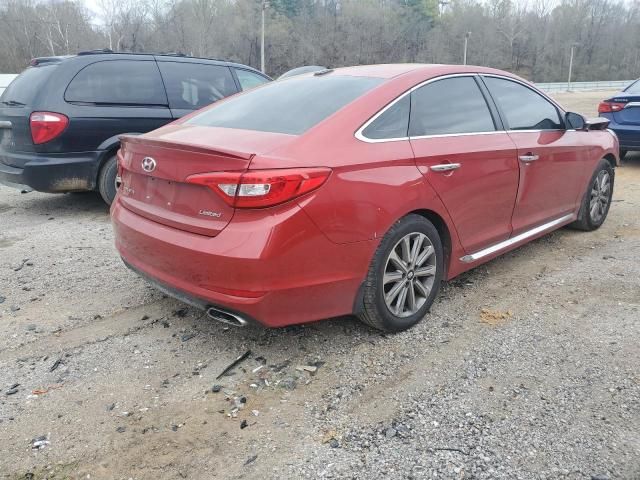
pixel 195 85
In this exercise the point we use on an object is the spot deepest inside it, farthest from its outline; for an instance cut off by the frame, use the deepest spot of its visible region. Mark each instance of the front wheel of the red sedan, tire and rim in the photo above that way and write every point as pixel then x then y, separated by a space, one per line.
pixel 597 198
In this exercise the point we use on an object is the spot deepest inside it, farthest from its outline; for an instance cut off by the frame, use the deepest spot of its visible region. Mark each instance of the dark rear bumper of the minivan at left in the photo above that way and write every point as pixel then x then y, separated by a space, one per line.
pixel 50 173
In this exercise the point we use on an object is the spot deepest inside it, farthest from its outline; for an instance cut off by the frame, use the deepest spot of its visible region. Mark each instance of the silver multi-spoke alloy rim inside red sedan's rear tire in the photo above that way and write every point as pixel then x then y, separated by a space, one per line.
pixel 409 274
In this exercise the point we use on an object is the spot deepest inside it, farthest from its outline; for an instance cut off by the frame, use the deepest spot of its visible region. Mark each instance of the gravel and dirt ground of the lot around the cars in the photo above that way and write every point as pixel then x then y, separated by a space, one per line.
pixel 527 367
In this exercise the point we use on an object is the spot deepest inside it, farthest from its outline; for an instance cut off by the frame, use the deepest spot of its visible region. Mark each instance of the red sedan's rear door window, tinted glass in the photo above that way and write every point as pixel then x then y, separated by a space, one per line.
pixel 449 106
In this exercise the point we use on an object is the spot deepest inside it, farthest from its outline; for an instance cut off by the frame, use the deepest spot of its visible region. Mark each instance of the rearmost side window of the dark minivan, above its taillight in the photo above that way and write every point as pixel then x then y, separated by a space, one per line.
pixel 118 82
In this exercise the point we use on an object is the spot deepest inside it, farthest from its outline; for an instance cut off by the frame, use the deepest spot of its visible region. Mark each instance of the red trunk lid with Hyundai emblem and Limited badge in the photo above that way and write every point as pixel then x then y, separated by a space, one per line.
pixel 161 194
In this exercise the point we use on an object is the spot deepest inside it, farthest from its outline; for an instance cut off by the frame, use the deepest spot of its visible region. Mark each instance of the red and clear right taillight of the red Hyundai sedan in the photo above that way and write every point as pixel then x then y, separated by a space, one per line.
pixel 262 188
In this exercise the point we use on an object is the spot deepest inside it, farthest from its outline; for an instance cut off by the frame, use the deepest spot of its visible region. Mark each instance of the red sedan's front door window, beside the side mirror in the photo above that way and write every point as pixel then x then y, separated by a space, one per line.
pixel 524 109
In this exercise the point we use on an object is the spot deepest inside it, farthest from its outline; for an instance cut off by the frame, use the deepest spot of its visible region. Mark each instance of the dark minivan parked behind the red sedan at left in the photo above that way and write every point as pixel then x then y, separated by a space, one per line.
pixel 60 120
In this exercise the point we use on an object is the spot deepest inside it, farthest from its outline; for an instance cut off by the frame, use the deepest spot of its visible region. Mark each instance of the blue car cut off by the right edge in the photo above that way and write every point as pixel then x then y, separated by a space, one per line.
pixel 623 111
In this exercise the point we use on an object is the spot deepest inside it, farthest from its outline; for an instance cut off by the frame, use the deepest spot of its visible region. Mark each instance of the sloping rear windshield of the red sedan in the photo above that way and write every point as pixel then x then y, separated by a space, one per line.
pixel 290 106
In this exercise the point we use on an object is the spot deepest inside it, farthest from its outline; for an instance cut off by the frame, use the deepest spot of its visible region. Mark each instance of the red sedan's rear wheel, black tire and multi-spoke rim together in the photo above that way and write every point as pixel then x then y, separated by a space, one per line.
pixel 404 276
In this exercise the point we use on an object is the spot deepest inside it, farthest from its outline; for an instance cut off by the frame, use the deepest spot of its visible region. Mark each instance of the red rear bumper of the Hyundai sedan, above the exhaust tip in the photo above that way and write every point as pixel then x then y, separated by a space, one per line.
pixel 274 268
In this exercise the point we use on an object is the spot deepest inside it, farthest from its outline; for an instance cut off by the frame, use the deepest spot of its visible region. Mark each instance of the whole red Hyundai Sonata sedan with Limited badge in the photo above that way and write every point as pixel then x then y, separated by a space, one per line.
pixel 354 191
